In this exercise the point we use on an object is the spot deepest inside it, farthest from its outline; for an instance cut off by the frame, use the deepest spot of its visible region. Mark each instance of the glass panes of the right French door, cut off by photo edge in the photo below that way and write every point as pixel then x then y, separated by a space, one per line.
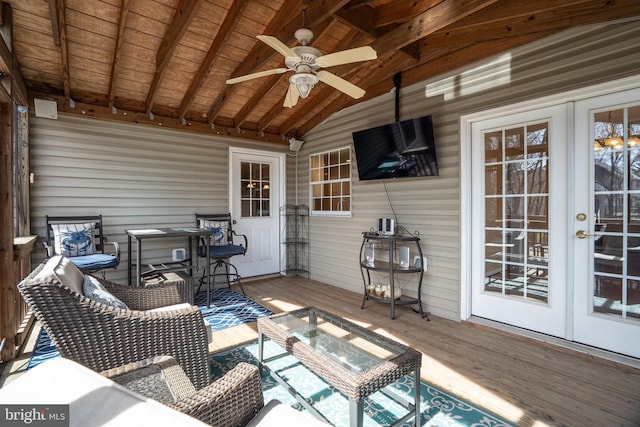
pixel 616 258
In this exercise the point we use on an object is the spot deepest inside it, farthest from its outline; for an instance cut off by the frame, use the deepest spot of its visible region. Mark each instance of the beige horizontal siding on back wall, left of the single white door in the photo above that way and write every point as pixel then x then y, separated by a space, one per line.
pixel 135 176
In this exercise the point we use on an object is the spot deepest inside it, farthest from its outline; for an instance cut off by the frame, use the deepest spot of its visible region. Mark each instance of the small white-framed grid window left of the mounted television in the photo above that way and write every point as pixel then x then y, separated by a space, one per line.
pixel 330 182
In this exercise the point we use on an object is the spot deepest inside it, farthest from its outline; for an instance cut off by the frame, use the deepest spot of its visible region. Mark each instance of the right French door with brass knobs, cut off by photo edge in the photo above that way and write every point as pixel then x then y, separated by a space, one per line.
pixel 606 222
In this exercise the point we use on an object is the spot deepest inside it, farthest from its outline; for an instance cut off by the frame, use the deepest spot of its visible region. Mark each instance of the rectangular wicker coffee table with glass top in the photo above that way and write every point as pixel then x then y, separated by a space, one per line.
pixel 356 361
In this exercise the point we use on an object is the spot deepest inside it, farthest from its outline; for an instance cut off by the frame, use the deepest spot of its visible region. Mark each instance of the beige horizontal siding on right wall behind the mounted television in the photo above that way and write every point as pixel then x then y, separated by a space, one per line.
pixel 431 206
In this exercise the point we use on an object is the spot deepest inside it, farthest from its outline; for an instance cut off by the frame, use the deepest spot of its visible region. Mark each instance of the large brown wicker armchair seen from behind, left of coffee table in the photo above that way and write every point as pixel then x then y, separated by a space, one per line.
pixel 101 336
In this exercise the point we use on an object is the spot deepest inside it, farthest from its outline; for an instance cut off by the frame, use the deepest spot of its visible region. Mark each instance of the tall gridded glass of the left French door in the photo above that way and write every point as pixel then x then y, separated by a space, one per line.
pixel 516 212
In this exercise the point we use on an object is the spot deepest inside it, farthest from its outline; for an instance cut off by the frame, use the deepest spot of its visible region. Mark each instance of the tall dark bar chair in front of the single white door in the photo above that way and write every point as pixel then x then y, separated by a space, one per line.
pixel 222 247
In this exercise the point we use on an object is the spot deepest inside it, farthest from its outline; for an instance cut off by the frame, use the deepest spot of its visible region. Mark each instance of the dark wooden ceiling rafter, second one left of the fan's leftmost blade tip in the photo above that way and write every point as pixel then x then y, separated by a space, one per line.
pixel 185 13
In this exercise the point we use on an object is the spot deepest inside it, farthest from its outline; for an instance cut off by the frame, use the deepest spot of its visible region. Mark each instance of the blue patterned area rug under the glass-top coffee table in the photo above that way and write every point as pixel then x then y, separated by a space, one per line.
pixel 438 408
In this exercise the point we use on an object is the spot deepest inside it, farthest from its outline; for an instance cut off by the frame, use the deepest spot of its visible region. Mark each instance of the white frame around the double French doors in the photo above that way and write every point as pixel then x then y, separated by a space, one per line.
pixel 466 121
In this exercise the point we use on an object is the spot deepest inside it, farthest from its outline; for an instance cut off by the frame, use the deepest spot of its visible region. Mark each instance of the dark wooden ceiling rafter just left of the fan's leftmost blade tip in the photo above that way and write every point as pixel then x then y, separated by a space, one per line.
pixel 230 21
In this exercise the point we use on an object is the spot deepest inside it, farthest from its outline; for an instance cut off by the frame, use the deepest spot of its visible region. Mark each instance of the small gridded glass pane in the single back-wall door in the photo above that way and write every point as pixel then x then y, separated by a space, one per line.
pixel 255 189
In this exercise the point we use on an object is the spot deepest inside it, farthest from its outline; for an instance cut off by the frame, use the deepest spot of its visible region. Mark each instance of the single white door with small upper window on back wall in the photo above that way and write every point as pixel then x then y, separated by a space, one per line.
pixel 256 191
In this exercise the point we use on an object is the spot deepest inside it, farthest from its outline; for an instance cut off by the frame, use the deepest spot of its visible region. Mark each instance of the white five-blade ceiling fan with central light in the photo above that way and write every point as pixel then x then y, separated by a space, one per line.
pixel 306 62
